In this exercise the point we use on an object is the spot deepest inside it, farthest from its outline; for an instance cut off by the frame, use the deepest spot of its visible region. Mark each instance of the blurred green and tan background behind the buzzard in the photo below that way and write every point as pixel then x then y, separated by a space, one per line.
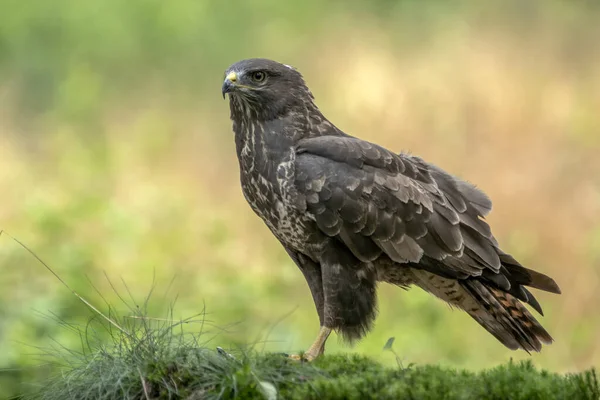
pixel 117 160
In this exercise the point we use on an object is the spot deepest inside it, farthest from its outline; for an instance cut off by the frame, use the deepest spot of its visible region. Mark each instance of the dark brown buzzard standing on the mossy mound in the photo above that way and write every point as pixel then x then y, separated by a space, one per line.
pixel 351 214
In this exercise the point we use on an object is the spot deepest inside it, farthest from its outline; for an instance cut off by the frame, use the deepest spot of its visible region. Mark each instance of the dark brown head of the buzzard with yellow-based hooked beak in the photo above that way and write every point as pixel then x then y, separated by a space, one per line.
pixel 265 88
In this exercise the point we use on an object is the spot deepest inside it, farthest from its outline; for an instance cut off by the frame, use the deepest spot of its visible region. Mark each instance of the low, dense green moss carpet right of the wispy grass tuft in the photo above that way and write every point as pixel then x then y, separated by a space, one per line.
pixel 361 378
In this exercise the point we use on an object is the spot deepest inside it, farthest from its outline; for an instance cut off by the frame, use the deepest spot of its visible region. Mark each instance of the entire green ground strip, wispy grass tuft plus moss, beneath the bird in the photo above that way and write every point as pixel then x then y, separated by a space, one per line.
pixel 149 360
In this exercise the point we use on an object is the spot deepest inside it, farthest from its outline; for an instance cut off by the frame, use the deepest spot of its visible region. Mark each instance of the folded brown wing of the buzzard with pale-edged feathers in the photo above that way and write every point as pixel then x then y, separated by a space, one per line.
pixel 376 202
